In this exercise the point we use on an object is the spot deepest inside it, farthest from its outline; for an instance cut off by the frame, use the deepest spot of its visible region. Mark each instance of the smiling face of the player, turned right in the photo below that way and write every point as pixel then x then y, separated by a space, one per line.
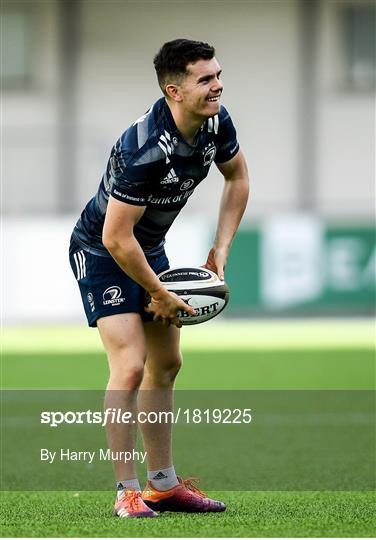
pixel 199 92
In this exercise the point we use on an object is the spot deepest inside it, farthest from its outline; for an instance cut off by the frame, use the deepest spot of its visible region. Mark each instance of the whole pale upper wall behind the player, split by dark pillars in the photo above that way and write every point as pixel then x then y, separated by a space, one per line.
pixel 257 44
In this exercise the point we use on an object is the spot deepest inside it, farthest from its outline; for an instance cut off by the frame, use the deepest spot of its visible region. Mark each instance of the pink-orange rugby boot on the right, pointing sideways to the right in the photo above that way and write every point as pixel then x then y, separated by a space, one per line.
pixel 185 497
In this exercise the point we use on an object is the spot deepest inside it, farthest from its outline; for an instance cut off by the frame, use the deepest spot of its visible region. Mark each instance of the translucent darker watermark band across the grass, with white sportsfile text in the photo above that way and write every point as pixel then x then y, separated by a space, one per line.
pixel 233 440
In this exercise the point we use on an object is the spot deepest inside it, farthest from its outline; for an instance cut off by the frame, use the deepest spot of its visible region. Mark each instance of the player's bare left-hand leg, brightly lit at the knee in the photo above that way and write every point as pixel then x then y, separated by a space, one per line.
pixel 124 340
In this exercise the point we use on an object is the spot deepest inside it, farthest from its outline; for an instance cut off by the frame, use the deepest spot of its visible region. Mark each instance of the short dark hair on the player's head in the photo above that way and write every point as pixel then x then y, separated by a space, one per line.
pixel 172 59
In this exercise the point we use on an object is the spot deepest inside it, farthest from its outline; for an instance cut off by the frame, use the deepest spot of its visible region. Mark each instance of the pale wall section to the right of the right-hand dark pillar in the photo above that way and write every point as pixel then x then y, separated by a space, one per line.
pixel 346 127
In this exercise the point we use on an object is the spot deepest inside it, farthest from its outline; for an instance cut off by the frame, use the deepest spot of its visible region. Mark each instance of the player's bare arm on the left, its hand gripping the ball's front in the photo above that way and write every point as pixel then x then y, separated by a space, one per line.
pixel 119 240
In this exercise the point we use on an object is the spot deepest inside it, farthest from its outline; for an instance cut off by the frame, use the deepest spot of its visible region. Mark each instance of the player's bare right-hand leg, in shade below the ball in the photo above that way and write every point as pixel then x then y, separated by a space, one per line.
pixel 156 392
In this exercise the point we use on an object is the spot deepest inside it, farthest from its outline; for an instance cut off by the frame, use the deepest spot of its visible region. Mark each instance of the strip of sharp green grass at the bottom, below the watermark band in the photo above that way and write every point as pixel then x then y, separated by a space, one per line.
pixel 249 514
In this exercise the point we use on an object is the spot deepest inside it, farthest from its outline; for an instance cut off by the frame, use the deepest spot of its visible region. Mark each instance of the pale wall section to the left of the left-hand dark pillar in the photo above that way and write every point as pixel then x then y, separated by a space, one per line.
pixel 29 120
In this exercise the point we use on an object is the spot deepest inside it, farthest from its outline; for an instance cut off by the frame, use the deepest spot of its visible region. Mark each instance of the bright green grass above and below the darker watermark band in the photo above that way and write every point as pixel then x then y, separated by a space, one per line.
pixel 274 355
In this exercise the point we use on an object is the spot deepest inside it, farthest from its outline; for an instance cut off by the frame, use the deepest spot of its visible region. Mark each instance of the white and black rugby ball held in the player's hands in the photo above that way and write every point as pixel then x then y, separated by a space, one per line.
pixel 200 288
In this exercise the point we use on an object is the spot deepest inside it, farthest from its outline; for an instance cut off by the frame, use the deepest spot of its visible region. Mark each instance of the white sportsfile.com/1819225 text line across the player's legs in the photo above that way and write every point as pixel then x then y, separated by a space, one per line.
pixel 119 416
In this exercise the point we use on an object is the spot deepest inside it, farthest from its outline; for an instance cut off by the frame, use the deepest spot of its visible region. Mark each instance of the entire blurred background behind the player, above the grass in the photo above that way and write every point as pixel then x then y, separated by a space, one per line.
pixel 299 81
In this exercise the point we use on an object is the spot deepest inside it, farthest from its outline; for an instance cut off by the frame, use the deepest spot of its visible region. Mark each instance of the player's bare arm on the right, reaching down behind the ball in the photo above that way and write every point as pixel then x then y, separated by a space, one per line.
pixel 233 203
